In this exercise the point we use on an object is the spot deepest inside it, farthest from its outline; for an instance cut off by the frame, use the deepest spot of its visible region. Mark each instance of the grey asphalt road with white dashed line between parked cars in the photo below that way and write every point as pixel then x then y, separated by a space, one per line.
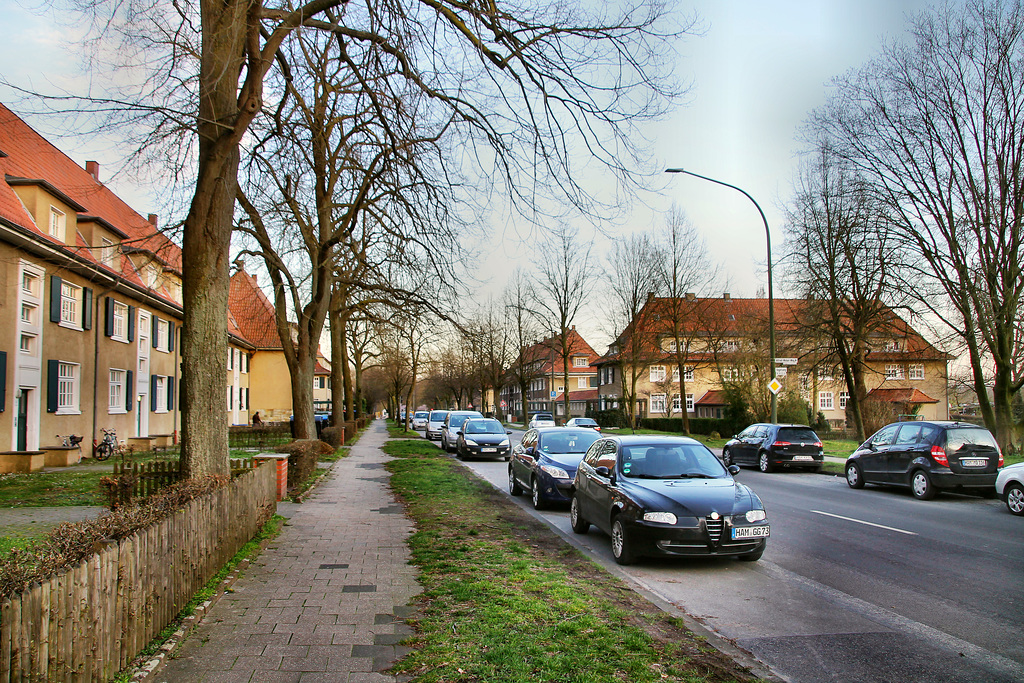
pixel 866 585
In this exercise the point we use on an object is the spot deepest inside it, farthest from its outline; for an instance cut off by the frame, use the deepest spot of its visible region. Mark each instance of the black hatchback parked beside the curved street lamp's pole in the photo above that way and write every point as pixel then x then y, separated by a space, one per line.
pixel 770 447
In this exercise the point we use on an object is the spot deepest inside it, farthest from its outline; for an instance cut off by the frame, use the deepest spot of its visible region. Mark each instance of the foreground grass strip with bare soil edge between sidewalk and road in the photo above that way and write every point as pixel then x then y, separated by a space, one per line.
pixel 506 601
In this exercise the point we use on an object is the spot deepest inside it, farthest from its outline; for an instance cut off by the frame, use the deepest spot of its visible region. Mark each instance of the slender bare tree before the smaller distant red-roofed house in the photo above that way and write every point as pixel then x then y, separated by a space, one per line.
pixel 566 279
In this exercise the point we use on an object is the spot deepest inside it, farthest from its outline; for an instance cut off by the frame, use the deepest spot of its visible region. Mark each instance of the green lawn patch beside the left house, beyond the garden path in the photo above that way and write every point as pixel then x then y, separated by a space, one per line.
pixel 52 489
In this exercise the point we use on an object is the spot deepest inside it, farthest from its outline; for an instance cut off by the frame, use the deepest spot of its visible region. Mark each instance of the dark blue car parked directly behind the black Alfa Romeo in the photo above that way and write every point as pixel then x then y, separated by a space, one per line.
pixel 546 461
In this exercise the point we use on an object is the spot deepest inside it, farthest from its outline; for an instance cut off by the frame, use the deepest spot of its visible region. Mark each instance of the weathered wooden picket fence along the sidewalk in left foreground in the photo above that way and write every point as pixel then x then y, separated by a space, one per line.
pixel 91 622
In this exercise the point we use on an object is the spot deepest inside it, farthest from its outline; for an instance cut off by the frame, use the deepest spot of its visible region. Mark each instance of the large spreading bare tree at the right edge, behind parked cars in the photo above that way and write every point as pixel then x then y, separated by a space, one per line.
pixel 937 127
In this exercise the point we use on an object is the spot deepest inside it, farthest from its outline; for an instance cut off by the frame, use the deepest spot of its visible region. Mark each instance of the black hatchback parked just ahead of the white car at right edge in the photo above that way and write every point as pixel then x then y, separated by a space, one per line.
pixel 928 457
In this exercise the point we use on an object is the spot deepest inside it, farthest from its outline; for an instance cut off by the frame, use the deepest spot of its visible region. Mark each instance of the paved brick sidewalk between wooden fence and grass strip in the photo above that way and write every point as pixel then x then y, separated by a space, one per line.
pixel 325 602
